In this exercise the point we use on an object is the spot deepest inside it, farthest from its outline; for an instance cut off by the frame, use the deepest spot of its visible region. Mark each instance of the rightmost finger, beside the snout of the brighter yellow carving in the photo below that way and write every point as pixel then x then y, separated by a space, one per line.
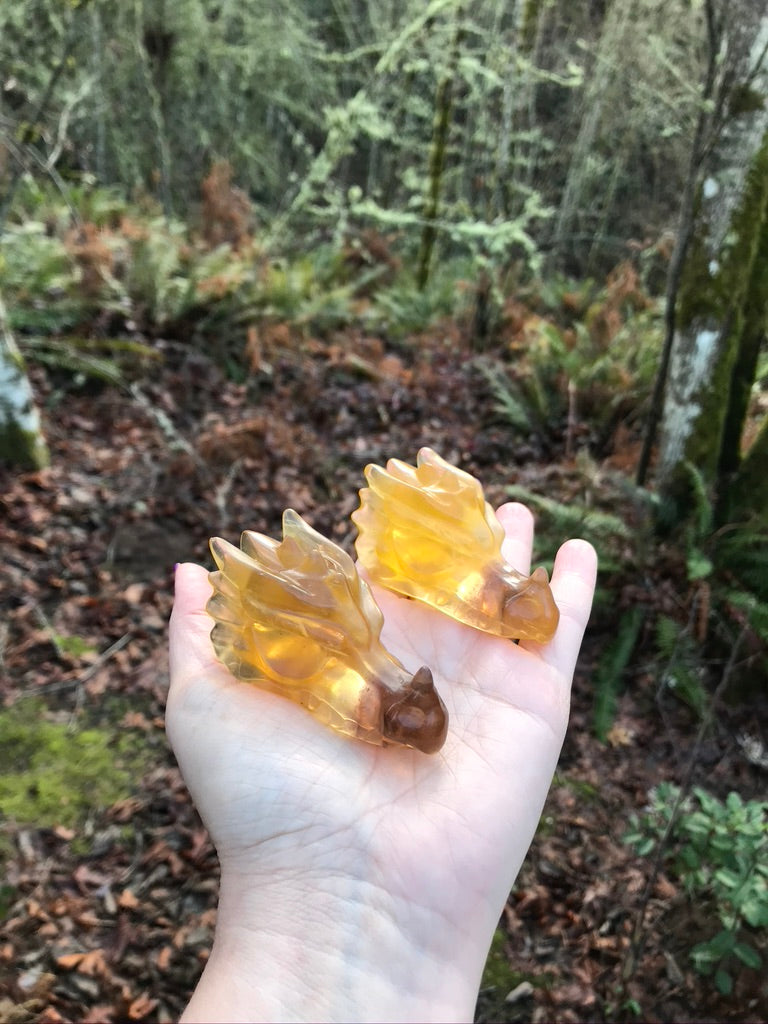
pixel 574 580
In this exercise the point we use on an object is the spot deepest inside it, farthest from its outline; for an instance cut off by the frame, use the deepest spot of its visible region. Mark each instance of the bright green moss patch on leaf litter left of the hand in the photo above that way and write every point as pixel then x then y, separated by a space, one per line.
pixel 52 775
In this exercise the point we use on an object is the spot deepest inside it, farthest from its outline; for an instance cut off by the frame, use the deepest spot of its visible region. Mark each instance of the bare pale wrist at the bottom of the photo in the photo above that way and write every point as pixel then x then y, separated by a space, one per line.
pixel 333 949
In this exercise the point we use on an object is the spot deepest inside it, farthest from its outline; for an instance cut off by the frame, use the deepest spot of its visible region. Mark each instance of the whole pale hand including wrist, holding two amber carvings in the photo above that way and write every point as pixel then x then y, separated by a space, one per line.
pixel 361 882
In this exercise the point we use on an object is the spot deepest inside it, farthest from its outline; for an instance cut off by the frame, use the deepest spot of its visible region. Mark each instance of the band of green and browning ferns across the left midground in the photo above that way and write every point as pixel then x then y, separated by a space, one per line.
pixel 156 276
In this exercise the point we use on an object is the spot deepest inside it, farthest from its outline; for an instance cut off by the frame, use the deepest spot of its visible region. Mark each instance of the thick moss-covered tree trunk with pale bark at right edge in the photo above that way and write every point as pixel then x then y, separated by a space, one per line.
pixel 719 304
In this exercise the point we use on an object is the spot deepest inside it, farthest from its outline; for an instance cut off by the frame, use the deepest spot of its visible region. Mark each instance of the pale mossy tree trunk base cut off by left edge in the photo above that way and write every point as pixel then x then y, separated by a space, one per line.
pixel 22 442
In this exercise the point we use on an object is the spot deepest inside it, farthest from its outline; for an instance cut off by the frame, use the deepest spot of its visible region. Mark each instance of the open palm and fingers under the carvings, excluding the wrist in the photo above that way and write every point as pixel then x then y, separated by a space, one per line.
pixel 439 839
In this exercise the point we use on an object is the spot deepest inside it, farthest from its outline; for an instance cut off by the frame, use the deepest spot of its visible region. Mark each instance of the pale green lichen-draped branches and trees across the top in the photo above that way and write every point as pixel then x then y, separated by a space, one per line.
pixel 312 102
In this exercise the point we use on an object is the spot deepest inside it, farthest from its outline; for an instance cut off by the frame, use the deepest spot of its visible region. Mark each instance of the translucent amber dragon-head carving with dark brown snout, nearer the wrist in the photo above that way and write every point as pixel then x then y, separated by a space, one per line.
pixel 295 618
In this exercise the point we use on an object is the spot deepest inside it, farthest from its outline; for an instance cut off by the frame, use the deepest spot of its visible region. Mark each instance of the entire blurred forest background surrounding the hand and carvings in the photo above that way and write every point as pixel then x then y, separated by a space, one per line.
pixel 246 249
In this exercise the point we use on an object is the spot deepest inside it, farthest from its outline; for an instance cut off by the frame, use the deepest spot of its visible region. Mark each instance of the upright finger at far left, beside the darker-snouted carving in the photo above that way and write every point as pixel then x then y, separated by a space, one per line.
pixel 190 644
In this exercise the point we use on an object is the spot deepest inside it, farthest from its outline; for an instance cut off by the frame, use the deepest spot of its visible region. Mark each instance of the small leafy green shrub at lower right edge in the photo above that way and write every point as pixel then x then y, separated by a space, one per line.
pixel 719 851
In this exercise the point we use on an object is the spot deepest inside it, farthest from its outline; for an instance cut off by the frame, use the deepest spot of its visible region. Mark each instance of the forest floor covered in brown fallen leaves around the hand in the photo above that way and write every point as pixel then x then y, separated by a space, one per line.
pixel 109 903
